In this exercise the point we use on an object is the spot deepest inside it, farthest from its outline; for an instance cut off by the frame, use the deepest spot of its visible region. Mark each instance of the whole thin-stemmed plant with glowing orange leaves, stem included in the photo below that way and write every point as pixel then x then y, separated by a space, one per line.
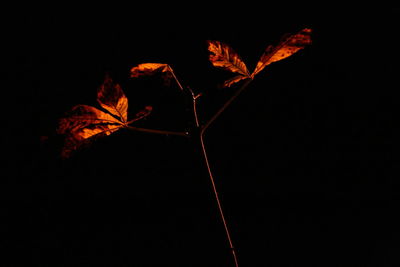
pixel 85 123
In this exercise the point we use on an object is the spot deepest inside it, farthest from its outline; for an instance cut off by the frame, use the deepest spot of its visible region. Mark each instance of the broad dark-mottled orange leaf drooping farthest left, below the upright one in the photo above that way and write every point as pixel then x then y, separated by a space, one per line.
pixel 84 123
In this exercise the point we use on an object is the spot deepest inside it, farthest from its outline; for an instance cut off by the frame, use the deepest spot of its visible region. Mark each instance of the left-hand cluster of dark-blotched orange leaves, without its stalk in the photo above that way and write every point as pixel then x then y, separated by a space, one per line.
pixel 85 123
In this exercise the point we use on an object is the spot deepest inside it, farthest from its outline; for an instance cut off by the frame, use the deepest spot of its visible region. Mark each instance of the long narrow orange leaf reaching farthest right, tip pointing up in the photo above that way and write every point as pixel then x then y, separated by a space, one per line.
pixel 284 49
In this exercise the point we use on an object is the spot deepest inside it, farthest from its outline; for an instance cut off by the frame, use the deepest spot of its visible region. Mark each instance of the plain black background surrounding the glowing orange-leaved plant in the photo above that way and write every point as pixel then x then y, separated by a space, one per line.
pixel 305 159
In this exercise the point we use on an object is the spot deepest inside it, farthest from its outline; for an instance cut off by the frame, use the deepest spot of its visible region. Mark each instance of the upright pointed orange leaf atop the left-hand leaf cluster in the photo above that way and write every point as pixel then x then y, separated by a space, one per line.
pixel 111 97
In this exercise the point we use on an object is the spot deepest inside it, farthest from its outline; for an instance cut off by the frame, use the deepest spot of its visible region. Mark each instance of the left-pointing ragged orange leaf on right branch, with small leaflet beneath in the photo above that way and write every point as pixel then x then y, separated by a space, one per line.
pixel 223 56
